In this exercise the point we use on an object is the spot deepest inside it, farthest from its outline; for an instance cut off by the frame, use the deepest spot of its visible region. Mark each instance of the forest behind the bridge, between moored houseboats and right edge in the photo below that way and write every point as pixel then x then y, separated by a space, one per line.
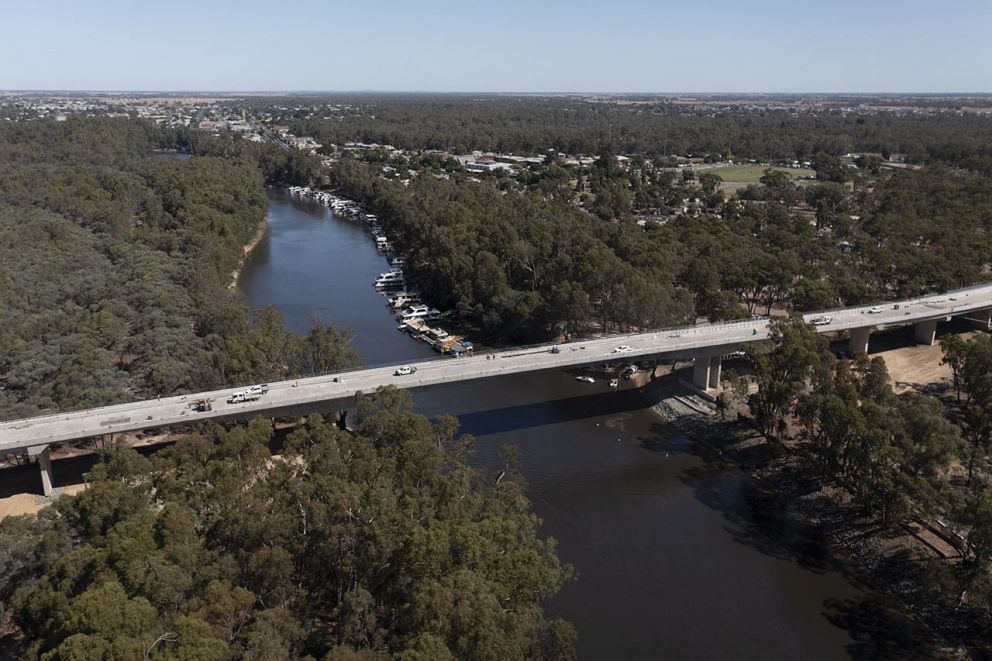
pixel 522 260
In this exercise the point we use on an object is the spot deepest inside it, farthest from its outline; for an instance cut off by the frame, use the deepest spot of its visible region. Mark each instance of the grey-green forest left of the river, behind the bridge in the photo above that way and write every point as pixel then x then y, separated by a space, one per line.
pixel 116 268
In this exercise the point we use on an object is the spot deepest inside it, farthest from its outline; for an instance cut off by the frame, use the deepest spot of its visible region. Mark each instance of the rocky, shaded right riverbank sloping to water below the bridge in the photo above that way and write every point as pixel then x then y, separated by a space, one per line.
pixel 905 615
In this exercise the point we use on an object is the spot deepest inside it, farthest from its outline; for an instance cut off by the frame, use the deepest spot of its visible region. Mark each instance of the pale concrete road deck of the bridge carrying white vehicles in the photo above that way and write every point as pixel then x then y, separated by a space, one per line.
pixel 693 341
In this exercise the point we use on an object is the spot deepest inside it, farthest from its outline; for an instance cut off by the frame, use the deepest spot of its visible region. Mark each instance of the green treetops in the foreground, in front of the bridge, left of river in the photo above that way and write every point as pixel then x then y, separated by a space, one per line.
pixel 369 545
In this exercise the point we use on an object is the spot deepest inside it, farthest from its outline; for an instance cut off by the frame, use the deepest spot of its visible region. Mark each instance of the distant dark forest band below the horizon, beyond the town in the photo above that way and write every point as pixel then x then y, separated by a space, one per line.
pixel 528 125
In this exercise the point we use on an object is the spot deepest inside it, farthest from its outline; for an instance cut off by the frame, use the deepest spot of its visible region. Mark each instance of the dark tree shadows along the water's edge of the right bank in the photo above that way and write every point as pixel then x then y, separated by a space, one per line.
pixel 764 515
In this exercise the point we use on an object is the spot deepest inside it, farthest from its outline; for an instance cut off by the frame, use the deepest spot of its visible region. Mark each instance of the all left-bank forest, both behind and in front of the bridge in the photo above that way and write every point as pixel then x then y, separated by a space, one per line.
pixel 375 544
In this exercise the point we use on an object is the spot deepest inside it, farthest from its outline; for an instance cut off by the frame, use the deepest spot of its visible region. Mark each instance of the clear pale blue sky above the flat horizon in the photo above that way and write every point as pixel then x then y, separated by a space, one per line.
pixel 529 46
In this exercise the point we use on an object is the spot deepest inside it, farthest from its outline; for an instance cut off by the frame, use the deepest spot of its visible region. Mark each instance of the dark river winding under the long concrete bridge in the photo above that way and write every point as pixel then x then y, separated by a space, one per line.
pixel 675 555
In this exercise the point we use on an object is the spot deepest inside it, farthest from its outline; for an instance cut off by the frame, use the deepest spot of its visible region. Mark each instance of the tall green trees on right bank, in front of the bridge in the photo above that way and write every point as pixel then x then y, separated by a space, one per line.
pixel 899 458
